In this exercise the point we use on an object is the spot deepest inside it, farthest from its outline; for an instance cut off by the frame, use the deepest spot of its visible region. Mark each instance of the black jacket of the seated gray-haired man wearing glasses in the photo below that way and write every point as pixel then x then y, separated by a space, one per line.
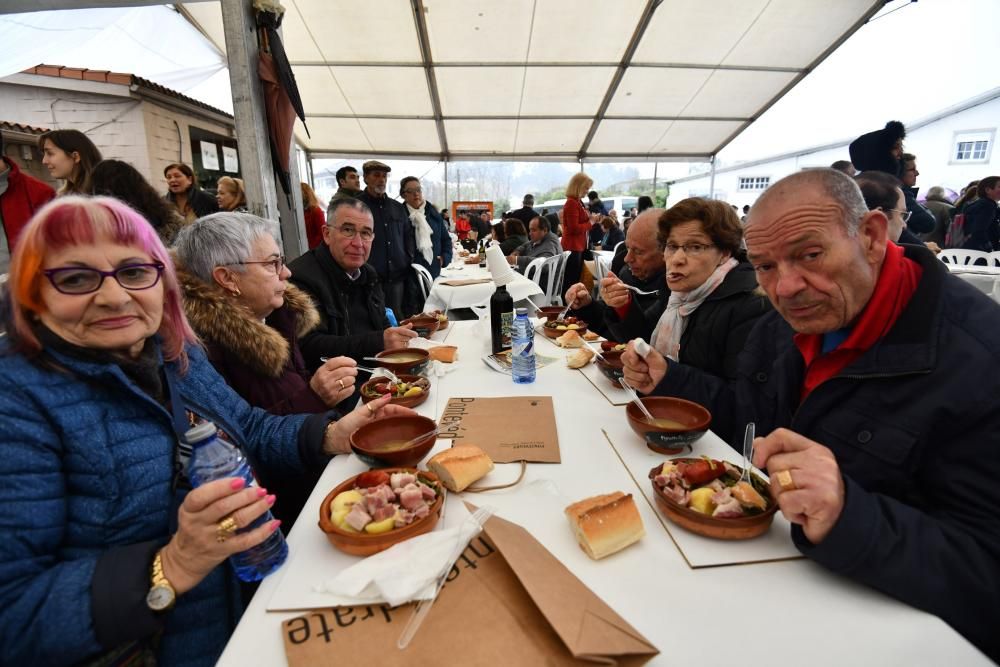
pixel 317 273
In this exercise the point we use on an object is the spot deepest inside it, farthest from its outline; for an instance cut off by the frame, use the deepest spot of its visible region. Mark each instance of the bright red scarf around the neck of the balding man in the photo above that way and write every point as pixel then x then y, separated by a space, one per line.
pixel 896 284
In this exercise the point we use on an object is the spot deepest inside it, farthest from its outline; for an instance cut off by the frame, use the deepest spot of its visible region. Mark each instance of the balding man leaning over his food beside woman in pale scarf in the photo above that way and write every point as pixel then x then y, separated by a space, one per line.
pixel 622 315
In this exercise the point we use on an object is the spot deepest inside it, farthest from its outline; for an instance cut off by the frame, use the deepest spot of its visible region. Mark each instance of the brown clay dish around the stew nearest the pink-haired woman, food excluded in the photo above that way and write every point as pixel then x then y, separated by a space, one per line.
pixel 365 544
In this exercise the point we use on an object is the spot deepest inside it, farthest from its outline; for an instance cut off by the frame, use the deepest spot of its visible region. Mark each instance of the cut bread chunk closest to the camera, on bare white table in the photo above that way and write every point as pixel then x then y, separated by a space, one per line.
pixel 605 524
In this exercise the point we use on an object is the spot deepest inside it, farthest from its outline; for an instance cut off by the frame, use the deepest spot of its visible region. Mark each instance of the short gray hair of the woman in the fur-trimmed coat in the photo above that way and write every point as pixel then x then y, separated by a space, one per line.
pixel 221 239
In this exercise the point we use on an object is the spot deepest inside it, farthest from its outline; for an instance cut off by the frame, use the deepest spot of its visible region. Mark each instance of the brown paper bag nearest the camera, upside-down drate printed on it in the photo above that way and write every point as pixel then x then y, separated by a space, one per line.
pixel 507 600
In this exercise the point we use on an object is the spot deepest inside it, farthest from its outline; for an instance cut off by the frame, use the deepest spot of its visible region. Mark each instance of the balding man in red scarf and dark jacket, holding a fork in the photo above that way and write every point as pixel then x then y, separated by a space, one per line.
pixel 880 453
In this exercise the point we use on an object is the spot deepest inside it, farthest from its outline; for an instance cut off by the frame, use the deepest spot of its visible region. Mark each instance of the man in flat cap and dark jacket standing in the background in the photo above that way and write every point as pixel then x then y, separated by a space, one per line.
pixel 395 245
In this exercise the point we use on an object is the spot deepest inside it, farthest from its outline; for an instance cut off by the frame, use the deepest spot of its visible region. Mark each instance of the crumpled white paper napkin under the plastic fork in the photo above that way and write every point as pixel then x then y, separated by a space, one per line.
pixel 409 570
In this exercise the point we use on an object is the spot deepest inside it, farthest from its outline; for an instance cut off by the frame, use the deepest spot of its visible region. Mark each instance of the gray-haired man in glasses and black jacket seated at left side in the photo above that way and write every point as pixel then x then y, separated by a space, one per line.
pixel 347 291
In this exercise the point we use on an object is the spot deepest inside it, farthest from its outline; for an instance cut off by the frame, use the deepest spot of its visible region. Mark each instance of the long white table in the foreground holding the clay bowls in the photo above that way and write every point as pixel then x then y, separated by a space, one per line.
pixel 793 613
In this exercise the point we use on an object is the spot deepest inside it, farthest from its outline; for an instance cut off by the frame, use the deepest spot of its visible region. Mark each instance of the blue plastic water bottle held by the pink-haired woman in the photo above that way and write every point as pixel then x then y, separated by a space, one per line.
pixel 213 459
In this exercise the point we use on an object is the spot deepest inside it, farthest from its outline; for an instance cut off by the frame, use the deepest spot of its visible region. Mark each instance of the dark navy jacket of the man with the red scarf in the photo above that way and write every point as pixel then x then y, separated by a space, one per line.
pixel 918 446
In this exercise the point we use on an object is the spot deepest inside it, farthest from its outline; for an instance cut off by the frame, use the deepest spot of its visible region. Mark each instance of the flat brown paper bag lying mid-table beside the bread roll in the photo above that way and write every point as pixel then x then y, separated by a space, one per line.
pixel 512 428
